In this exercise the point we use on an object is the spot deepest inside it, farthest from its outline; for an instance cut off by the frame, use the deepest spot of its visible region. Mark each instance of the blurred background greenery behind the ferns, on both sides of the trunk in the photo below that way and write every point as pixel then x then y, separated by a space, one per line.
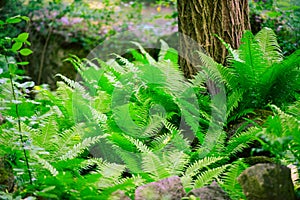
pixel 58 28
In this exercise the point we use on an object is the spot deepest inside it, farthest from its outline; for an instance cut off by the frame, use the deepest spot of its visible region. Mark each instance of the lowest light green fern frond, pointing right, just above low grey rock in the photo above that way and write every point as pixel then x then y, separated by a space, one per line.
pixel 206 177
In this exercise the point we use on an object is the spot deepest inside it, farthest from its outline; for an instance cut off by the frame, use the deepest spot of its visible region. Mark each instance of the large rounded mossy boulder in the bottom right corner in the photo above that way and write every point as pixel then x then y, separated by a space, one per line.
pixel 267 181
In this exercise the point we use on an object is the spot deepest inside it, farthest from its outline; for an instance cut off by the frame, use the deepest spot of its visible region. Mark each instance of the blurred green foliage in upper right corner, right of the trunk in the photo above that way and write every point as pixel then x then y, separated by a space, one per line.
pixel 282 17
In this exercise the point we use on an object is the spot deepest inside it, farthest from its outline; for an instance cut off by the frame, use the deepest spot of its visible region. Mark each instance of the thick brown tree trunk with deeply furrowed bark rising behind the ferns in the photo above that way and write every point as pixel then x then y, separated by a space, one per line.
pixel 199 20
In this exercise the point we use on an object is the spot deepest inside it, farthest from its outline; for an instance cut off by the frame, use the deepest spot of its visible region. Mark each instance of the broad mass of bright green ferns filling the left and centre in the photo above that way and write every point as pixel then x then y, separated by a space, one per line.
pixel 121 125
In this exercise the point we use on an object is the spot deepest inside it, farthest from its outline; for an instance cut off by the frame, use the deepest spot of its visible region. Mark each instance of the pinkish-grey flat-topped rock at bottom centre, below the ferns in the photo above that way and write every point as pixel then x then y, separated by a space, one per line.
pixel 169 189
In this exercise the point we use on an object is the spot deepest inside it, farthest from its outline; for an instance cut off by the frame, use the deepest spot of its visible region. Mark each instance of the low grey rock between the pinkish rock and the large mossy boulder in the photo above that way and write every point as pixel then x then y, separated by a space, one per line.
pixel 211 192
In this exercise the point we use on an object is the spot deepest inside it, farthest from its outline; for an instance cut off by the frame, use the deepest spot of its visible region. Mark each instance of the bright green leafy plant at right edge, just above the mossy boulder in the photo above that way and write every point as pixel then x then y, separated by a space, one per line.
pixel 280 134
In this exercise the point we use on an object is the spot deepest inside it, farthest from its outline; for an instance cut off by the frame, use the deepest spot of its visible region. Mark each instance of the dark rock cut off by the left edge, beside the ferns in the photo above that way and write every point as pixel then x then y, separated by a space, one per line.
pixel 6 176
